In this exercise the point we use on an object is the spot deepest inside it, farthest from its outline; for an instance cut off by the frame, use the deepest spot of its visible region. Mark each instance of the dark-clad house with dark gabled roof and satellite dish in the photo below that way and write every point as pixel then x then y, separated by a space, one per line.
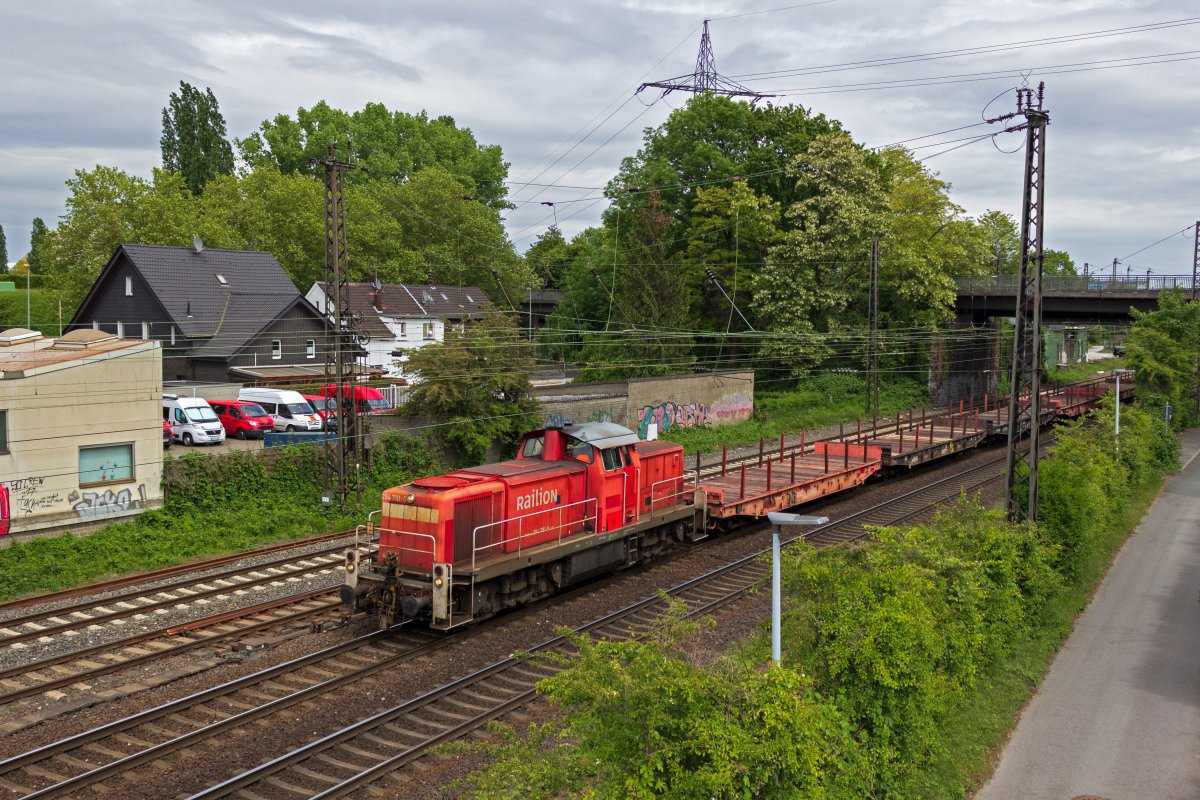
pixel 221 315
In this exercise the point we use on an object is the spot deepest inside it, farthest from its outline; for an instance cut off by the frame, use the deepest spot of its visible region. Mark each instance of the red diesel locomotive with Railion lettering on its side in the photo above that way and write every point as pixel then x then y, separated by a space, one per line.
pixel 578 502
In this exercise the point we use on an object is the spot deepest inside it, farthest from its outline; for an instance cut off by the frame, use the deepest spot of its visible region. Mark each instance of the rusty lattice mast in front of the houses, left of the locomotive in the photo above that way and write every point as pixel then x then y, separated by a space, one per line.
pixel 343 341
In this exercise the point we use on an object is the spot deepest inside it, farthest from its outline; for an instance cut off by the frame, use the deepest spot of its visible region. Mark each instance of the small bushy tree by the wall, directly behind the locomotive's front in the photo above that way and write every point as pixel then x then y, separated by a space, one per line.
pixel 478 382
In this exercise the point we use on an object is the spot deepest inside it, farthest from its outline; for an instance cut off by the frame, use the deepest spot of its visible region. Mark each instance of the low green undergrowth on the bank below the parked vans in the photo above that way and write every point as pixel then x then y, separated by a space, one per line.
pixel 214 506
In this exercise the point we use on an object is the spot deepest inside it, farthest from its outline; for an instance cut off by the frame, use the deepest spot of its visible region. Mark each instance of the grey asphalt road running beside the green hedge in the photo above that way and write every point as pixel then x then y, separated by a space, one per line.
pixel 1119 714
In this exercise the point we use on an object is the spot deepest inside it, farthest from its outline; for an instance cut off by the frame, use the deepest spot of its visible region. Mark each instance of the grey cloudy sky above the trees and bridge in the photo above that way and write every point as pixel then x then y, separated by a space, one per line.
pixel 553 83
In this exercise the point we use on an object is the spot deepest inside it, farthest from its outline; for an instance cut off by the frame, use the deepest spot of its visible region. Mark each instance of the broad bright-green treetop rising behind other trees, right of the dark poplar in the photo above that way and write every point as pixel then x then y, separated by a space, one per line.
pixel 392 146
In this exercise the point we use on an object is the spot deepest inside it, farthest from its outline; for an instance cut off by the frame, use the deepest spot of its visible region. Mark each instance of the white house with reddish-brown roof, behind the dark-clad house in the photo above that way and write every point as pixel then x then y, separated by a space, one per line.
pixel 403 317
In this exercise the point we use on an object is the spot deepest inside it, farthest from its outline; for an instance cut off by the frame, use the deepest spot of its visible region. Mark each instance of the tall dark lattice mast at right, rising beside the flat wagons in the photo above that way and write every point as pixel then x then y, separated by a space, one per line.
pixel 1022 482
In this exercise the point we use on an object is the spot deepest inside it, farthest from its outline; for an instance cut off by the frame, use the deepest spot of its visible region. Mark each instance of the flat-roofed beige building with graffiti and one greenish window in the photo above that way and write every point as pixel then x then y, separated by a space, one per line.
pixel 81 428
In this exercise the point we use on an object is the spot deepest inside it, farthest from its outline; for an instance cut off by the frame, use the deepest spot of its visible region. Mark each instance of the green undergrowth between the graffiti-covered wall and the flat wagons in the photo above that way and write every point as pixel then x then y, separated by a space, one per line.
pixel 815 402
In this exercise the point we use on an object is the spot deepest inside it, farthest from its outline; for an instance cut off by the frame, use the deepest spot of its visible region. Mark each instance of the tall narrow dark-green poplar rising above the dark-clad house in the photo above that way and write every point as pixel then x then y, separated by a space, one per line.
pixel 194 137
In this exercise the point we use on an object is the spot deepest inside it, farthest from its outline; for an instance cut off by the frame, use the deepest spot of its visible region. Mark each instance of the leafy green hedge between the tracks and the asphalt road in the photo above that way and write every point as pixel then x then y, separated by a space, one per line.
pixel 891 648
